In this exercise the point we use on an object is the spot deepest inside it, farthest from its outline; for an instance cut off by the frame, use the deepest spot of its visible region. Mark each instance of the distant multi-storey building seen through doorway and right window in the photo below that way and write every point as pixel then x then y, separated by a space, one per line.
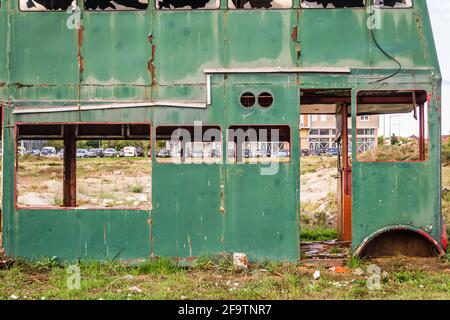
pixel 319 131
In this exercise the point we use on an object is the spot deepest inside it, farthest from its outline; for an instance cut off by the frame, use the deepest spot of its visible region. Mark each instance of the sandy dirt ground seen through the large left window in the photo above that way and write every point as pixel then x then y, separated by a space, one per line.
pixel 101 182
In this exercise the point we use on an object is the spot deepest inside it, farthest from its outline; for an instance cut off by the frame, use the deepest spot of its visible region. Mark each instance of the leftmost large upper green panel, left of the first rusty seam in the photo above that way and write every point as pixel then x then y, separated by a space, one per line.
pixel 44 50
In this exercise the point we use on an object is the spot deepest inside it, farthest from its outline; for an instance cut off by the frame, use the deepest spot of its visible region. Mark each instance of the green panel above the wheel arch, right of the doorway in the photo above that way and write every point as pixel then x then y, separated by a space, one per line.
pixel 386 195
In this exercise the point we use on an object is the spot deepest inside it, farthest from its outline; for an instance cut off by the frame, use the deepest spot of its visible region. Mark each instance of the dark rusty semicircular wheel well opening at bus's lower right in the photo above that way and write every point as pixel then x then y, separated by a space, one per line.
pixel 399 242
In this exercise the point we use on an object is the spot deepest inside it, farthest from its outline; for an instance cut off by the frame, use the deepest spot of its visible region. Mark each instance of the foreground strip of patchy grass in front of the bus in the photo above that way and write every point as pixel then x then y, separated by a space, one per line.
pixel 215 278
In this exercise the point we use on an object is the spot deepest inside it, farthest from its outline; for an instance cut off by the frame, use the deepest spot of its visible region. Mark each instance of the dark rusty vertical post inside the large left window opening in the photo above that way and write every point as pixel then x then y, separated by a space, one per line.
pixel 70 179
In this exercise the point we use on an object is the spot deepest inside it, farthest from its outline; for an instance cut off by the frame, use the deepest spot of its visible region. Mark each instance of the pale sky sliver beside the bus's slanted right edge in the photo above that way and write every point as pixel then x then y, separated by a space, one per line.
pixel 440 19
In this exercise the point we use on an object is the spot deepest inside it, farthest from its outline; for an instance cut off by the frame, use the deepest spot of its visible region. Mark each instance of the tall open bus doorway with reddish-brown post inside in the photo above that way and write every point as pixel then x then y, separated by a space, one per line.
pixel 325 168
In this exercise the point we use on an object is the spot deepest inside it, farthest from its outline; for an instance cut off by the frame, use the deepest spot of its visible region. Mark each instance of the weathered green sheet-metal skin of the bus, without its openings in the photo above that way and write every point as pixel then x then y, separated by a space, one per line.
pixel 148 56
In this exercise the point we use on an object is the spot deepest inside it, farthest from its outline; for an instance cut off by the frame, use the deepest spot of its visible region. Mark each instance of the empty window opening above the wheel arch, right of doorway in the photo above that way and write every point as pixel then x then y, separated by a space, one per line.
pixel 396 131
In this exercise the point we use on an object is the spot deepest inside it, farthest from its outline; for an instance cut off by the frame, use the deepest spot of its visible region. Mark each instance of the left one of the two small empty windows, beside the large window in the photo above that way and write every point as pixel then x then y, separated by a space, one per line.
pixel 197 144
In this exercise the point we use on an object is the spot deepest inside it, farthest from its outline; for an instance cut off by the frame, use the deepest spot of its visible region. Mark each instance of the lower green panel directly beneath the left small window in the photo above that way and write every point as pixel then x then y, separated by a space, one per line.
pixel 186 217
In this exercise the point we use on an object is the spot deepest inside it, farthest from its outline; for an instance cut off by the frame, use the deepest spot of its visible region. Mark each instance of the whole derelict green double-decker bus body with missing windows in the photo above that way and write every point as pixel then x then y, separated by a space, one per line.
pixel 73 70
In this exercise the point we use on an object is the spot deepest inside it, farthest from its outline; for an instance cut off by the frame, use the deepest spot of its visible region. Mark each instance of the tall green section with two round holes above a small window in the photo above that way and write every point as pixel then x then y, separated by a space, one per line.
pixel 262 194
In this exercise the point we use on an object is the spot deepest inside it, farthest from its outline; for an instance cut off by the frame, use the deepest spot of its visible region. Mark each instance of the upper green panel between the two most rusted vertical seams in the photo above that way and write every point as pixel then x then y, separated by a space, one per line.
pixel 115 54
